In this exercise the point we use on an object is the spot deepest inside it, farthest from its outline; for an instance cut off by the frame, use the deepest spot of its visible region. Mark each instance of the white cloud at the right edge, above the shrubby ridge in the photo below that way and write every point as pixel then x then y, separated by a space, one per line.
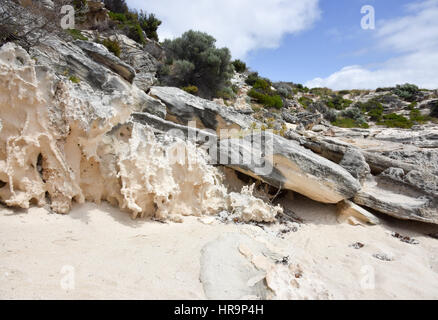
pixel 414 40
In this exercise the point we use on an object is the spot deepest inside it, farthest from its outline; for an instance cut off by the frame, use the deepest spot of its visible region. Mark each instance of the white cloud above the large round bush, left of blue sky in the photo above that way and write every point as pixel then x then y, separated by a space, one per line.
pixel 241 25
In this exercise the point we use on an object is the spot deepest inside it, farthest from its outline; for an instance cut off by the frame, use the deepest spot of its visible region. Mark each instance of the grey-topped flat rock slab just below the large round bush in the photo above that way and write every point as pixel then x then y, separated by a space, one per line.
pixel 183 107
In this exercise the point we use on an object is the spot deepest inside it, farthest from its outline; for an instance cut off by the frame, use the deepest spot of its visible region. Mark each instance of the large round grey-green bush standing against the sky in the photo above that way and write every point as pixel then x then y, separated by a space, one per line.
pixel 211 65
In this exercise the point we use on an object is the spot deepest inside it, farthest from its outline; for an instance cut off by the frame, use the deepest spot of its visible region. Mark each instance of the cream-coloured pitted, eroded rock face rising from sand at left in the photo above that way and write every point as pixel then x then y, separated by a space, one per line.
pixel 62 142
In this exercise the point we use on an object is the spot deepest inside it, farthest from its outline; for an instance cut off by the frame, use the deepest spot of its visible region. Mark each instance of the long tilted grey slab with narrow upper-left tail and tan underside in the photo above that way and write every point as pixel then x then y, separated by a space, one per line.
pixel 269 158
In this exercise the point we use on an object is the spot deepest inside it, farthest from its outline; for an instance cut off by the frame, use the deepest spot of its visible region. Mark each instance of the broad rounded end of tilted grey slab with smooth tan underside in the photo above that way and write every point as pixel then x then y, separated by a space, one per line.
pixel 291 167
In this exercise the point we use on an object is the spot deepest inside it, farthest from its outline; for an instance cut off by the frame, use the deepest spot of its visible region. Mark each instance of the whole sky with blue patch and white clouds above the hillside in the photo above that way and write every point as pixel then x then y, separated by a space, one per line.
pixel 319 43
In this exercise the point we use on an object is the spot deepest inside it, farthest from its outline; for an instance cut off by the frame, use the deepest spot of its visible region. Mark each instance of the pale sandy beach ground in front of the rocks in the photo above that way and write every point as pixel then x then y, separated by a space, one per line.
pixel 110 256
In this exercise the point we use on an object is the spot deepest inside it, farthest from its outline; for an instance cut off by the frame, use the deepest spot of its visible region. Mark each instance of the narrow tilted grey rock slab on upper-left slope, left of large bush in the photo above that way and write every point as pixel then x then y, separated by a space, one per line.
pixel 101 55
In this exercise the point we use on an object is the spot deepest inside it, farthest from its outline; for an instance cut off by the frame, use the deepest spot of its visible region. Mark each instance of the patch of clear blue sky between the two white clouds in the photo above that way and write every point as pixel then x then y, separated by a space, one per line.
pixel 335 40
